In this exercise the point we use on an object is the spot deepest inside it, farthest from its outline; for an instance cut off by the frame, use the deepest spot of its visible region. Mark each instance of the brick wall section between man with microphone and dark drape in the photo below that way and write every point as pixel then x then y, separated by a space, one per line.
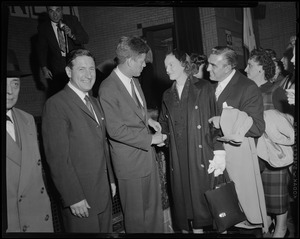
pixel 105 25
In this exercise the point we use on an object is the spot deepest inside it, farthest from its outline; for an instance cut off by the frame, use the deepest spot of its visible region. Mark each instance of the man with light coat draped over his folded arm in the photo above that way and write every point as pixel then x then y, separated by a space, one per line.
pixel 239 92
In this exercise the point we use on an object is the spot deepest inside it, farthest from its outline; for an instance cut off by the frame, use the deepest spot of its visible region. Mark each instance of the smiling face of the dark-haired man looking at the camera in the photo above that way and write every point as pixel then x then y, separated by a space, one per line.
pixel 83 73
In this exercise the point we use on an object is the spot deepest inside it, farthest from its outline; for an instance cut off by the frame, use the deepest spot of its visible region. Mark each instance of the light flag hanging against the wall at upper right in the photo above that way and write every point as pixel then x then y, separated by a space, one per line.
pixel 249 38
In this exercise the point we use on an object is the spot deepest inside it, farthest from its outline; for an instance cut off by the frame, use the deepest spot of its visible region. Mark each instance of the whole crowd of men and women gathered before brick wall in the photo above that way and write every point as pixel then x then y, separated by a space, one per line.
pixel 212 118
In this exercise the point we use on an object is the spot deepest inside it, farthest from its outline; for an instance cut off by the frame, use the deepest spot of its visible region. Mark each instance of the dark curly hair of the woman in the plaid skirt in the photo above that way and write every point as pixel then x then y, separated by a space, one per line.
pixel 263 58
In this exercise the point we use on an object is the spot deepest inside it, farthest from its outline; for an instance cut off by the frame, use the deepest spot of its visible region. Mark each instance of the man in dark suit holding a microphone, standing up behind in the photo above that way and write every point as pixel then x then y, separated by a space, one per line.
pixel 57 36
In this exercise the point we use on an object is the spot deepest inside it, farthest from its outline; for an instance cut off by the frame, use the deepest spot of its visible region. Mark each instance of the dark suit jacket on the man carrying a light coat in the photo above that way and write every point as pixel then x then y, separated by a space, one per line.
pixel 243 94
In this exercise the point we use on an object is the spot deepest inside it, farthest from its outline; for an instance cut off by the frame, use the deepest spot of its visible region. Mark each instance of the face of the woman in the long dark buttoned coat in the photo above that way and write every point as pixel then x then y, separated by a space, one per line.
pixel 174 68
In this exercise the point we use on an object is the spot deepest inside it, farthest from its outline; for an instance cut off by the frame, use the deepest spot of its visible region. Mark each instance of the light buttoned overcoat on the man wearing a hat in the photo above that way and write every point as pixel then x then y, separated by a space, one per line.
pixel 28 204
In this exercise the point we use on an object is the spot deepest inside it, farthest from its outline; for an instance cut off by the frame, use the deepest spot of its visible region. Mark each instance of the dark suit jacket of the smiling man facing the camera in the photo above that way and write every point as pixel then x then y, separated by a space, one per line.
pixel 76 150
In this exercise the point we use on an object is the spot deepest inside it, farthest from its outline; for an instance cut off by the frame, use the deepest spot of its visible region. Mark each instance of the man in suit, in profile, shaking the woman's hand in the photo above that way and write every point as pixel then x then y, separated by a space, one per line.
pixel 131 141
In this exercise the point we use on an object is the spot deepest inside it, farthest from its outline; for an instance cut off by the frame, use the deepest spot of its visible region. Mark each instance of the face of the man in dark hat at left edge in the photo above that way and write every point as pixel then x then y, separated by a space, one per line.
pixel 12 91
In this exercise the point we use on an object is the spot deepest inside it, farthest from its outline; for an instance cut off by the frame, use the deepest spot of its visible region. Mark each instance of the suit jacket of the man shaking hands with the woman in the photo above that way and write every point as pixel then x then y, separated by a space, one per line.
pixel 129 136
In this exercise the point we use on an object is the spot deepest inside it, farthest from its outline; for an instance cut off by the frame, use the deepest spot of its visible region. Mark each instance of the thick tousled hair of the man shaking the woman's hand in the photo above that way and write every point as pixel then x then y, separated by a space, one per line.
pixel 131 47
